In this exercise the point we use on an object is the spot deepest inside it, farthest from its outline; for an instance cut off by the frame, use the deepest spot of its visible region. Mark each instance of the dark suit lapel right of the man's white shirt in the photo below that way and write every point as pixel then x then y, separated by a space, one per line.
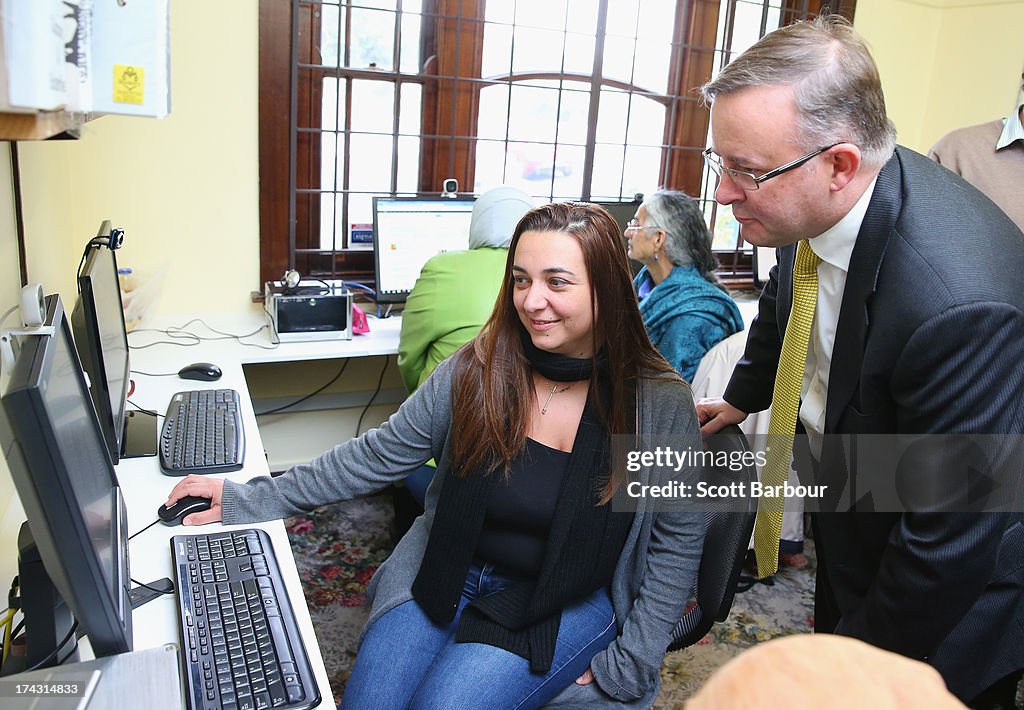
pixel 866 263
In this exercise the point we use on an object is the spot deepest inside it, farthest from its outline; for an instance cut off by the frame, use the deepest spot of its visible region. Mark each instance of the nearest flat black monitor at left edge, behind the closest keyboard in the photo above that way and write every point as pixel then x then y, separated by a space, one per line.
pixel 66 482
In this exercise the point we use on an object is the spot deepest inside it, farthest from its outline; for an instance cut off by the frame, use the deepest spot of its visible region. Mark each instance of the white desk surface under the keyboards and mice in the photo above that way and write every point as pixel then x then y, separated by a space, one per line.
pixel 146 488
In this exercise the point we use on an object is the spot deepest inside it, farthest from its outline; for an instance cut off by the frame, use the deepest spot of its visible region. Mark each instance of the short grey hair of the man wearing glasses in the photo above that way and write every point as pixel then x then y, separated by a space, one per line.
pixel 836 85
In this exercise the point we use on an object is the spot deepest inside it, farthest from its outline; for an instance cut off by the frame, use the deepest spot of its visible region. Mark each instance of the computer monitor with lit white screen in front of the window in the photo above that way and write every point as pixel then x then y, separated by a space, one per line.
pixel 408 231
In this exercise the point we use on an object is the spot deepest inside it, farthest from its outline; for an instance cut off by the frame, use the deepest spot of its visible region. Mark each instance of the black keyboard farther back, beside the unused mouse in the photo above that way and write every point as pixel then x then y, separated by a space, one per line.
pixel 203 434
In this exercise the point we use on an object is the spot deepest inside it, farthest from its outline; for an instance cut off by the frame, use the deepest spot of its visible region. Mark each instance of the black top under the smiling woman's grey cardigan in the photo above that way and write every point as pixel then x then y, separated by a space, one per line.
pixel 520 512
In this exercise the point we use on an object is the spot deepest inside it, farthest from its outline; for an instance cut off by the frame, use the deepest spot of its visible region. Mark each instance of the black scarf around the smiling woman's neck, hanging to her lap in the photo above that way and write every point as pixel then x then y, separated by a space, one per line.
pixel 583 548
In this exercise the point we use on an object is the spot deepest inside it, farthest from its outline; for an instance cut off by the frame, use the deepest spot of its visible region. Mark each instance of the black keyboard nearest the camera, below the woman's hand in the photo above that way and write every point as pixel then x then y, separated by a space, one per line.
pixel 240 645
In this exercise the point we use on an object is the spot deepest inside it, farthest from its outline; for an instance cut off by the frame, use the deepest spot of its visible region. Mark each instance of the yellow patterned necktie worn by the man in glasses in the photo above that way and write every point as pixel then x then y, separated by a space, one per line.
pixel 785 408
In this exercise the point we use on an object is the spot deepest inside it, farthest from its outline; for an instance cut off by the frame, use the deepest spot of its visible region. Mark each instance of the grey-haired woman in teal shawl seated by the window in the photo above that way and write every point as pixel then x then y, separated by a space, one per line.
pixel 686 308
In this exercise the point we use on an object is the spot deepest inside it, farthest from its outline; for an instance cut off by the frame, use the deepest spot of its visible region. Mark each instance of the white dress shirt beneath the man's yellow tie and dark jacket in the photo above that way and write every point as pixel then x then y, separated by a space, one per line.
pixel 835 247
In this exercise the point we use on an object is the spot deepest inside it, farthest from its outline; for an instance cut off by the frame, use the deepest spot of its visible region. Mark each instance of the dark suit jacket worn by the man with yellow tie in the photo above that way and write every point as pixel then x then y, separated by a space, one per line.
pixel 930 341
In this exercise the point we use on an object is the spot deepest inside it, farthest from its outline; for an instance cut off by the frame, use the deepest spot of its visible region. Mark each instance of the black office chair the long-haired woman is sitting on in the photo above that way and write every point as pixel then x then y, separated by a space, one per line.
pixel 729 524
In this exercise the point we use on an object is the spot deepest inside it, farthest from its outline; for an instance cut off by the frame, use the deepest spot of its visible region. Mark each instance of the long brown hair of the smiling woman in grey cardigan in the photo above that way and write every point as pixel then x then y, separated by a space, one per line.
pixel 492 386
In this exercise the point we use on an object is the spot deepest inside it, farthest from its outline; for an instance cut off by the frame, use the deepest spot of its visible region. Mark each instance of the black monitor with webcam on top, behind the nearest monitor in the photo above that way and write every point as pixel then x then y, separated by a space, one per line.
pixel 99 324
